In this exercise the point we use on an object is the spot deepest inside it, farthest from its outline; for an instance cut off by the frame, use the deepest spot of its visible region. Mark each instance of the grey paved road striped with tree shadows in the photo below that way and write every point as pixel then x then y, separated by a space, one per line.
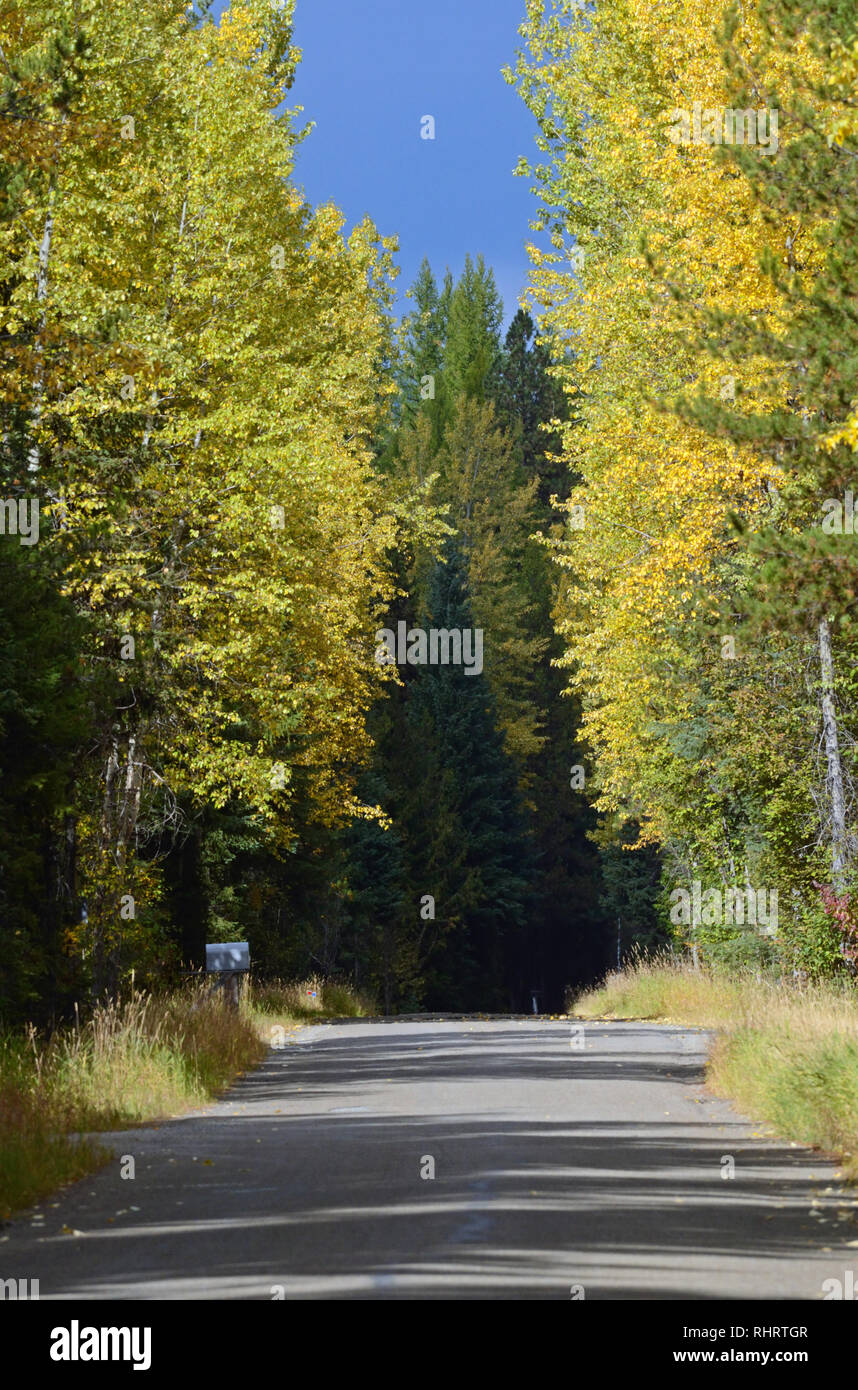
pixel 564 1160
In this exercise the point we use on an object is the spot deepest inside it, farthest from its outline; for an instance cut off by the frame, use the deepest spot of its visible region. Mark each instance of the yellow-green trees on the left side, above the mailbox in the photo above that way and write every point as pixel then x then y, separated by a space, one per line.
pixel 194 379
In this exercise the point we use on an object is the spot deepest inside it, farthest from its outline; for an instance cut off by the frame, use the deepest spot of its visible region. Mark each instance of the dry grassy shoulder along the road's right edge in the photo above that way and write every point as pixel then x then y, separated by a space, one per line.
pixel 784 1054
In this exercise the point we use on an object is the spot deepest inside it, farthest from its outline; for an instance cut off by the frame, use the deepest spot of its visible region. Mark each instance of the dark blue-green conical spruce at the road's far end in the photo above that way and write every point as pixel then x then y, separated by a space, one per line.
pixel 462 819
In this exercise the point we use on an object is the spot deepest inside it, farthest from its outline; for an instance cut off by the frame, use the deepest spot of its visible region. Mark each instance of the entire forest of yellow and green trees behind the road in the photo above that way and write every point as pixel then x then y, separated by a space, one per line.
pixel 257 529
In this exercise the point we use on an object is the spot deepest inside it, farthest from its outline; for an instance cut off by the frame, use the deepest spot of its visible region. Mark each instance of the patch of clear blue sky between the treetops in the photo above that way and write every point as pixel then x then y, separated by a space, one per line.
pixel 371 72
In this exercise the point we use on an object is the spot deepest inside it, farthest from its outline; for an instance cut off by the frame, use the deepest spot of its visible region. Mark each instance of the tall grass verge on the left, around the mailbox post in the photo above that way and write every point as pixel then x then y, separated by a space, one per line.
pixel 136 1061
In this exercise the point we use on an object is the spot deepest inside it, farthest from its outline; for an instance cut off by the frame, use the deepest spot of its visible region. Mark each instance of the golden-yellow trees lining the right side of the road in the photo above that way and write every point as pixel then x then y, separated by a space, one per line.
pixel 710 608
